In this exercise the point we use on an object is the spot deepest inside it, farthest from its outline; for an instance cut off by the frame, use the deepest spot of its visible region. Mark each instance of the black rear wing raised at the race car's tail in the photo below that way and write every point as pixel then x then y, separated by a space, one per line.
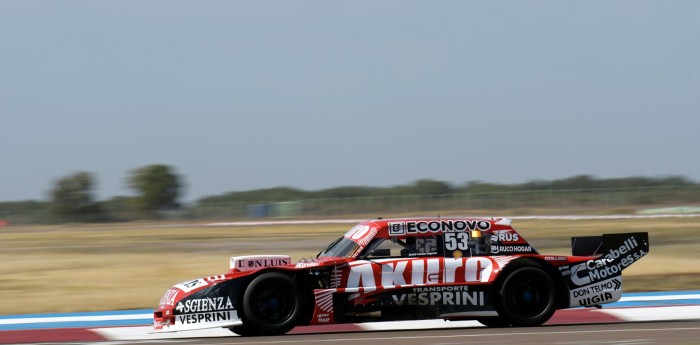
pixel 614 247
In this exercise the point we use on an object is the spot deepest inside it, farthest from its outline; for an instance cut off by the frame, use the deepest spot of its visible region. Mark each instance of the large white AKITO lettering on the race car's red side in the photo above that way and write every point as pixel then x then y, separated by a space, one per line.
pixel 392 272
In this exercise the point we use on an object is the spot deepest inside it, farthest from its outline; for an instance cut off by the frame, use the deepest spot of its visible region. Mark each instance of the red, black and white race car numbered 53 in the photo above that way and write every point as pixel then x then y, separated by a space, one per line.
pixel 406 269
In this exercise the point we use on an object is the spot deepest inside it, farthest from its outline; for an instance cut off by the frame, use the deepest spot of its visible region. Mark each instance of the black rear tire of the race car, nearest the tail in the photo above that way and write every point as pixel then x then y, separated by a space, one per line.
pixel 527 297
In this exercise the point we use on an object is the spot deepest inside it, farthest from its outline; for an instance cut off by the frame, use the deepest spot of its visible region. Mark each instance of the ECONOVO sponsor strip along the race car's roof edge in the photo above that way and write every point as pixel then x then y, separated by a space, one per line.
pixel 436 226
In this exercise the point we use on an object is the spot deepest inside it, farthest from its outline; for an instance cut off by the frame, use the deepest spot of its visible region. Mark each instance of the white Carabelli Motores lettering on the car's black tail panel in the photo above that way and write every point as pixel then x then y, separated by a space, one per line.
pixel 609 265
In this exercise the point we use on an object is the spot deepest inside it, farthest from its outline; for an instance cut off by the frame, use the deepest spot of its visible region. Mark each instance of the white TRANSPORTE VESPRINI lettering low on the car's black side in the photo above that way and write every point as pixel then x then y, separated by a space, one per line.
pixel 449 295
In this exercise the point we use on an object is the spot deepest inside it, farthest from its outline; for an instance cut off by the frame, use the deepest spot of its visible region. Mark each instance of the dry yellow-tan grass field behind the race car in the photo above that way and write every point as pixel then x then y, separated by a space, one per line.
pixel 83 268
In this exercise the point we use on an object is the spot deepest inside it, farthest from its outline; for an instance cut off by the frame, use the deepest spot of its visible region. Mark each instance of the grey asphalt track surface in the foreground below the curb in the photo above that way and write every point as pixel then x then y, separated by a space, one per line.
pixel 670 332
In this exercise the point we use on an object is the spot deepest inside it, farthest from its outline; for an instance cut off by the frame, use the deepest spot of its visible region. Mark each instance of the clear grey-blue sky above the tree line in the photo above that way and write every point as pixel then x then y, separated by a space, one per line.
pixel 316 94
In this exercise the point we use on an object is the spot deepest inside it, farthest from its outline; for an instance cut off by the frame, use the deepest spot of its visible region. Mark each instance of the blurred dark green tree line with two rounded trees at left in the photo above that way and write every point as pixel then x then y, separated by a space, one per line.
pixel 158 189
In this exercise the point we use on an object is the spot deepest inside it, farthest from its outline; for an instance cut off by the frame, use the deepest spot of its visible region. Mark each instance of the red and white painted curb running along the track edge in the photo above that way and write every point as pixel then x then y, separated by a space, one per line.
pixel 569 316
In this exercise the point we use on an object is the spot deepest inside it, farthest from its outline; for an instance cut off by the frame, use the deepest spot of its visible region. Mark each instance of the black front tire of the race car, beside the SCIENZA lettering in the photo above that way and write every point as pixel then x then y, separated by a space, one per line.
pixel 271 305
